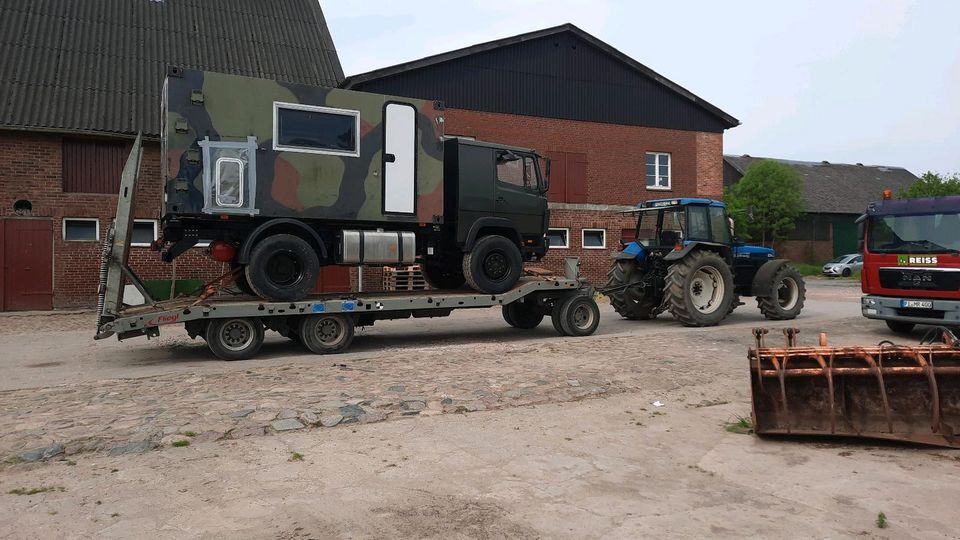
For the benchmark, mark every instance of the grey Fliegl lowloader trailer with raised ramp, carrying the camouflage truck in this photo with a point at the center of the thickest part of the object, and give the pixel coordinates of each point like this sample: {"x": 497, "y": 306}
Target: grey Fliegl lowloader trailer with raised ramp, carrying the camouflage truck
{"x": 233, "y": 326}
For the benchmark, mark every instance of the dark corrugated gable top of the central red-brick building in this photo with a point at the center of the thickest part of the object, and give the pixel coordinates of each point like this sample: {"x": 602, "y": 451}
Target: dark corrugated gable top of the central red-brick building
{"x": 521, "y": 74}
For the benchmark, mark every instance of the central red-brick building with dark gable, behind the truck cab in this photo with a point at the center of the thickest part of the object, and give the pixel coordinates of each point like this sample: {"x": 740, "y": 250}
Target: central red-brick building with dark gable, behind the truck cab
{"x": 616, "y": 131}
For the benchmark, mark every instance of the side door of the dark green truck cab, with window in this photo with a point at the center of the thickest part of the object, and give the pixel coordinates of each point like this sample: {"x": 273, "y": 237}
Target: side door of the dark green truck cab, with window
{"x": 518, "y": 196}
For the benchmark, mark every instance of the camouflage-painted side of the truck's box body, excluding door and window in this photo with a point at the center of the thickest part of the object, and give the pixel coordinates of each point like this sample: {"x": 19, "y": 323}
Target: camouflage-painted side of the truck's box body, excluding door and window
{"x": 230, "y": 108}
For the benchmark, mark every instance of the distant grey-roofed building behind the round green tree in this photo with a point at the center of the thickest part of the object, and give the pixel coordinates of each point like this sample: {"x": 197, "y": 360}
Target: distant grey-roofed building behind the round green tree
{"x": 834, "y": 196}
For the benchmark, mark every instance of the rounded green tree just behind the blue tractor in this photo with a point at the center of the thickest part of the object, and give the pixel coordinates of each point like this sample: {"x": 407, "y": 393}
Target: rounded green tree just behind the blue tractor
{"x": 766, "y": 202}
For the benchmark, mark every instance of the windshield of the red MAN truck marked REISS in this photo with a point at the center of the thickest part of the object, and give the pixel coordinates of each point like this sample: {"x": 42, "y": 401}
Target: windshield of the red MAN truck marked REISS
{"x": 930, "y": 233}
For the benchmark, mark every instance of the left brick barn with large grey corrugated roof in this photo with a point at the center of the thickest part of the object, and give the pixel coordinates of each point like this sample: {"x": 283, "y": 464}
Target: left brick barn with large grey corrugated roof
{"x": 78, "y": 80}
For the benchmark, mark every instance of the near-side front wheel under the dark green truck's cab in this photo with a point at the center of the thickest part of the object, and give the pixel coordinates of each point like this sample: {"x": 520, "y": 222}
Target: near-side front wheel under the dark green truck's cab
{"x": 494, "y": 265}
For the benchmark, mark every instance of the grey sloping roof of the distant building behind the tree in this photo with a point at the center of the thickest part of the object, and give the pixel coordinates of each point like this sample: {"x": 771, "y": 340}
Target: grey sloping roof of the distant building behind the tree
{"x": 836, "y": 188}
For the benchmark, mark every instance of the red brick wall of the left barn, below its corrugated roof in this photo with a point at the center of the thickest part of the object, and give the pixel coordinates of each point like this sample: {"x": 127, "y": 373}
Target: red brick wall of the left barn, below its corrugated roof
{"x": 31, "y": 169}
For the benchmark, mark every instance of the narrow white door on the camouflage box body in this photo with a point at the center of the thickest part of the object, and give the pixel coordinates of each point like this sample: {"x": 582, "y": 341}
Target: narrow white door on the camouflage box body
{"x": 399, "y": 159}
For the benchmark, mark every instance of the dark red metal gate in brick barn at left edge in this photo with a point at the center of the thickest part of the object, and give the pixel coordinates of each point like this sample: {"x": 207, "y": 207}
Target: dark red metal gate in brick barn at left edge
{"x": 26, "y": 264}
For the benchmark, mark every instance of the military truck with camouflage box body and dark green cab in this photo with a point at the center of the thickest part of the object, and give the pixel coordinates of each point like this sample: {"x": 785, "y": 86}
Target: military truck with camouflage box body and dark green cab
{"x": 283, "y": 178}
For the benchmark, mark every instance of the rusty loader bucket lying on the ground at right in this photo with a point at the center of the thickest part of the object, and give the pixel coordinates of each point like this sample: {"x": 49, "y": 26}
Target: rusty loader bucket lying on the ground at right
{"x": 895, "y": 392}
